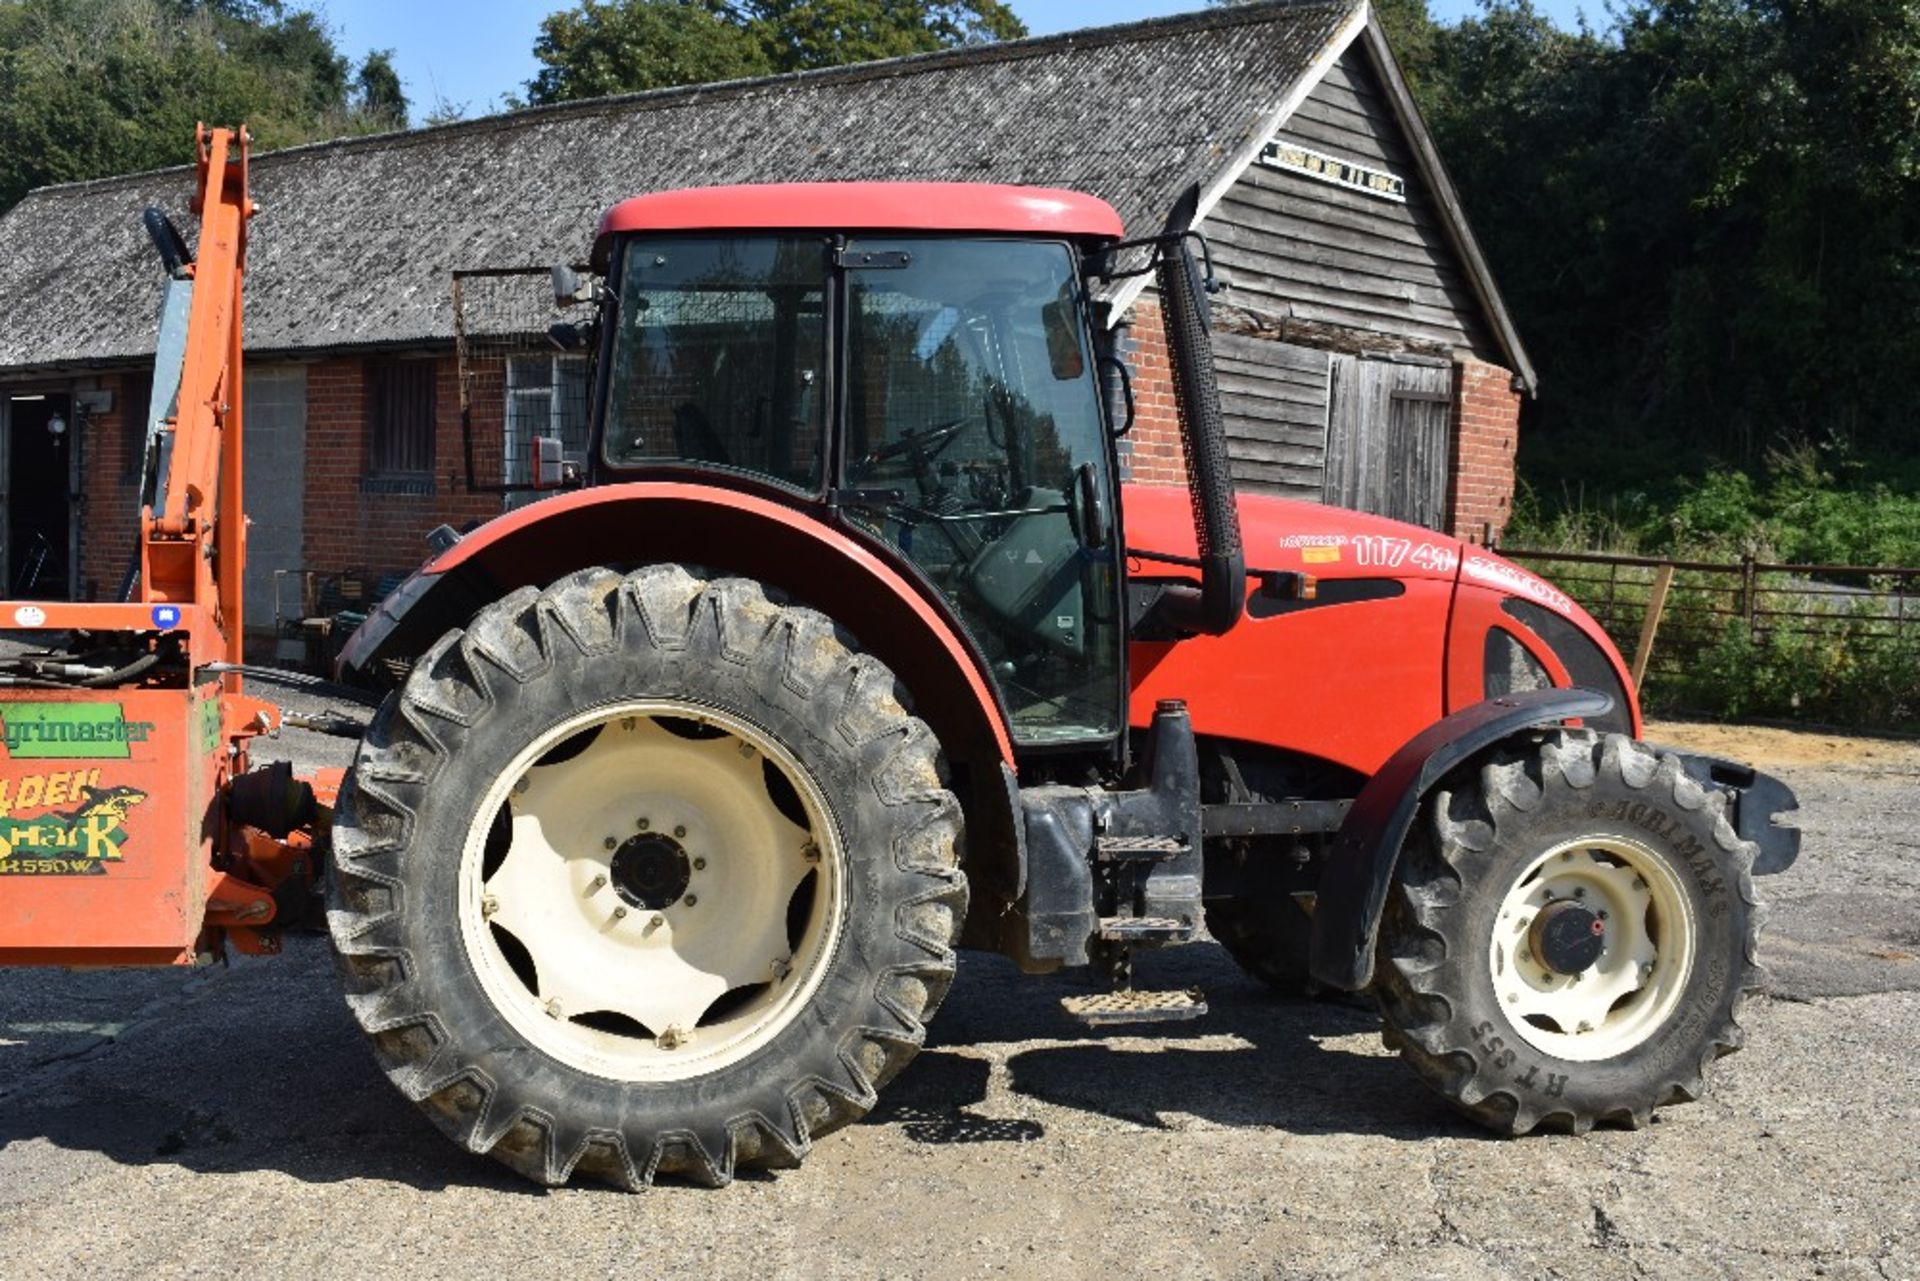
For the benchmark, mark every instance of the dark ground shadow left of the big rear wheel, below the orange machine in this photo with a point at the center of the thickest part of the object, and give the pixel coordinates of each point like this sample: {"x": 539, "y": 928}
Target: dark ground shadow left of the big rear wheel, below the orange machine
{"x": 254, "y": 1069}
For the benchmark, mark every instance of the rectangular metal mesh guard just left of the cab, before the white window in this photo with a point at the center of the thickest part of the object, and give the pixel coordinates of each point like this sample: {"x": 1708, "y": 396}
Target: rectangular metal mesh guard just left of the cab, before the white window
{"x": 516, "y": 383}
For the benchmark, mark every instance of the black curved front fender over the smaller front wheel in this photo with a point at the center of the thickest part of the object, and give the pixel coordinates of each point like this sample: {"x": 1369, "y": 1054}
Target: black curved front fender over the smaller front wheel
{"x": 1353, "y": 892}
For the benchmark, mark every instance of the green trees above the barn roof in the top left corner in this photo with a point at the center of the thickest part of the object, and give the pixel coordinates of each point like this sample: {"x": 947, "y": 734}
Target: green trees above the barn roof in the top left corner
{"x": 101, "y": 87}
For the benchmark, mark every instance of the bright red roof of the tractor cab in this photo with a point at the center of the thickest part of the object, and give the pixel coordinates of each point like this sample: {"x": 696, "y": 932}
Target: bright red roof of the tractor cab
{"x": 865, "y": 206}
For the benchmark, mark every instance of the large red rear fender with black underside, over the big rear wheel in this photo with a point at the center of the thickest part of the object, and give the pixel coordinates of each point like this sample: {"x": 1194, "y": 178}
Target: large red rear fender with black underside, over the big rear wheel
{"x": 723, "y": 531}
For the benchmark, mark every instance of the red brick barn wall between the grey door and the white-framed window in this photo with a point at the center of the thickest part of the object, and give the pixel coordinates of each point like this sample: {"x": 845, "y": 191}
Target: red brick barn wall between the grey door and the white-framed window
{"x": 348, "y": 523}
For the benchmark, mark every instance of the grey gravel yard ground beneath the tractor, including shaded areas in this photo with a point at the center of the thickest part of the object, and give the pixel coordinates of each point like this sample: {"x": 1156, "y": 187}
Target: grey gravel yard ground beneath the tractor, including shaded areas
{"x": 158, "y": 1124}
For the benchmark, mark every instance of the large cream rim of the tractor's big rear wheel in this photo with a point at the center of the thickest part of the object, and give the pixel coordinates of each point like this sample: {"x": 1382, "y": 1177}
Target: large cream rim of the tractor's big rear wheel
{"x": 652, "y": 890}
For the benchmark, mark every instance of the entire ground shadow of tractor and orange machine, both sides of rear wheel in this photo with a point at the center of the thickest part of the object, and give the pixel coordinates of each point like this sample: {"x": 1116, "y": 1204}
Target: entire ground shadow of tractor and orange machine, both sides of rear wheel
{"x": 260, "y": 1069}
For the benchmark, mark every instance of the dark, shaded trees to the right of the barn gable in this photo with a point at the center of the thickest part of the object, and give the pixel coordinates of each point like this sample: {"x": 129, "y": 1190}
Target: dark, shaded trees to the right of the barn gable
{"x": 1706, "y": 220}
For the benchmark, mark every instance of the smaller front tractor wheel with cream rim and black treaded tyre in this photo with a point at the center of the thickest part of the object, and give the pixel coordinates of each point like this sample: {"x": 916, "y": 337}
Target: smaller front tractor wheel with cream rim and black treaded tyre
{"x": 1572, "y": 936}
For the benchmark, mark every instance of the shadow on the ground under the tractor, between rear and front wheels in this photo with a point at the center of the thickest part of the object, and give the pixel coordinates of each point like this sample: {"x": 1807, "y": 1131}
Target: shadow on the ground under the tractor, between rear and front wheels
{"x": 1255, "y": 1061}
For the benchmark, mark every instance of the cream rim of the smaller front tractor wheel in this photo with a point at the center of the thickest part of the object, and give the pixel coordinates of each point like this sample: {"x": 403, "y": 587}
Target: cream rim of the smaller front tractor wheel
{"x": 1648, "y": 942}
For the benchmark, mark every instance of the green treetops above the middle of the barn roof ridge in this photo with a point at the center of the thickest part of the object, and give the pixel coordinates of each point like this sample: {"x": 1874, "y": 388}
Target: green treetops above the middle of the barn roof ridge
{"x": 613, "y": 47}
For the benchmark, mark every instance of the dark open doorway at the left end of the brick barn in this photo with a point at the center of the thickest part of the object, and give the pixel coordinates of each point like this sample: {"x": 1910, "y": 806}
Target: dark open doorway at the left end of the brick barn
{"x": 36, "y": 487}
